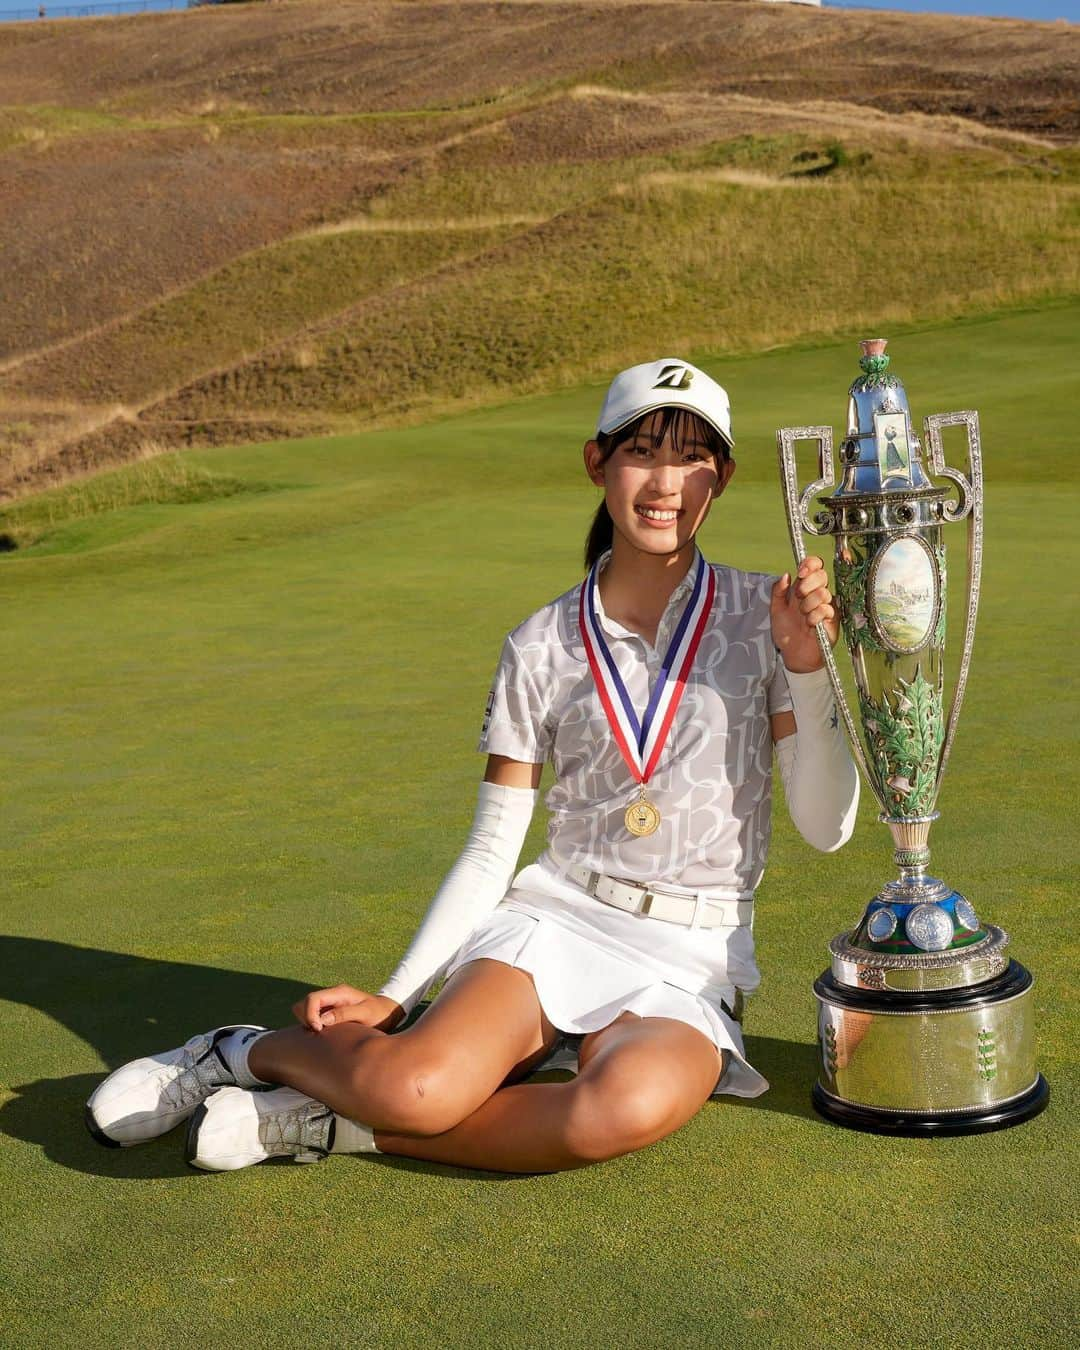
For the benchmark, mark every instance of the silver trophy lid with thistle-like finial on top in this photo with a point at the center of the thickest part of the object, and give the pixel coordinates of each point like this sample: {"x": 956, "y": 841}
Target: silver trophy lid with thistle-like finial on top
{"x": 881, "y": 453}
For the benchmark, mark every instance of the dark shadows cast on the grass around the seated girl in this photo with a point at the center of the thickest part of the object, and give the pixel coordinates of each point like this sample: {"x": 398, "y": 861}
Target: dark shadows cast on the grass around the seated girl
{"x": 128, "y": 1006}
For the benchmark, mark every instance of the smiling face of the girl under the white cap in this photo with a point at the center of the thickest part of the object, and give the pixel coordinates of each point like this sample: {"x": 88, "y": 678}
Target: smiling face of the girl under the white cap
{"x": 659, "y": 481}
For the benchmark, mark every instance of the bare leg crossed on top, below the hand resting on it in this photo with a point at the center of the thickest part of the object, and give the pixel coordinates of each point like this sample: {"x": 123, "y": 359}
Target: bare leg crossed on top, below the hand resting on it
{"x": 487, "y": 1025}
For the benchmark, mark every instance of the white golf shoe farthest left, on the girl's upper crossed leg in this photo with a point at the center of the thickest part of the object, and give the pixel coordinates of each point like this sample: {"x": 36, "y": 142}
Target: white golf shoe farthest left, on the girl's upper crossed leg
{"x": 149, "y": 1097}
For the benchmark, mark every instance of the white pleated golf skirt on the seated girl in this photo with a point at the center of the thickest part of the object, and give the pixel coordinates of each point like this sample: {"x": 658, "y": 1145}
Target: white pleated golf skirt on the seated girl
{"x": 591, "y": 962}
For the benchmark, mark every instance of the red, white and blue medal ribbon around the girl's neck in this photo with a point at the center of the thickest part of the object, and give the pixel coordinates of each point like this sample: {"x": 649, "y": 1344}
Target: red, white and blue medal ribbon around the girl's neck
{"x": 641, "y": 743}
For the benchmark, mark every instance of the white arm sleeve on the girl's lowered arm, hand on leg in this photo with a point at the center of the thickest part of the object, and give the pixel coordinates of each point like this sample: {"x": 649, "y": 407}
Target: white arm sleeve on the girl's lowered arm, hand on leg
{"x": 470, "y": 892}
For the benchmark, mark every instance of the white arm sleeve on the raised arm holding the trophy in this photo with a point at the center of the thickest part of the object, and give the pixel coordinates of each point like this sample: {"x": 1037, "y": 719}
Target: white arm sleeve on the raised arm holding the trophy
{"x": 821, "y": 782}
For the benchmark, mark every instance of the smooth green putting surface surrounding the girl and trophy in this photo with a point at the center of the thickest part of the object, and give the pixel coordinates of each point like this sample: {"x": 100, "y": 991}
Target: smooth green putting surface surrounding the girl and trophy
{"x": 238, "y": 750}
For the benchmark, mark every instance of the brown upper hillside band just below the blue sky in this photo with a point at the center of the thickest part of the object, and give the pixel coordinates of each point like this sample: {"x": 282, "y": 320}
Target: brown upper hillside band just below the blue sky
{"x": 346, "y": 56}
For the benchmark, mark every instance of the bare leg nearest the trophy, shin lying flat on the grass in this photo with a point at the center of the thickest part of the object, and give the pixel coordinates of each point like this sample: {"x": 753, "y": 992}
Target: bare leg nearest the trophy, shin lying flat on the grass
{"x": 641, "y": 1079}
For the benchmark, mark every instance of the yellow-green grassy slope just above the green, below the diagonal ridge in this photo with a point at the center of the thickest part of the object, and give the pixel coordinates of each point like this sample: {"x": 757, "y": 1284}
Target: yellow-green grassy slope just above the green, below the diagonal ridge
{"x": 682, "y": 261}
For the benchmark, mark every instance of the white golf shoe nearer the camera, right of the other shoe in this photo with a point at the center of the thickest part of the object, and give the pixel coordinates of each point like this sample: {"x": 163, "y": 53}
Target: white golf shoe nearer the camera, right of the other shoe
{"x": 237, "y": 1129}
